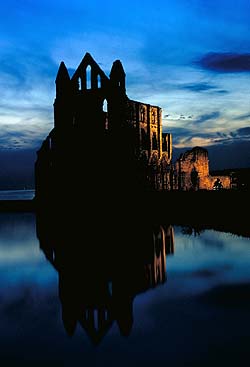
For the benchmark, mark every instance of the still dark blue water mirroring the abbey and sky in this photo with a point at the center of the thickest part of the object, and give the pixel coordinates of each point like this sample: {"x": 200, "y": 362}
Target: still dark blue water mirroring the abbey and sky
{"x": 186, "y": 303}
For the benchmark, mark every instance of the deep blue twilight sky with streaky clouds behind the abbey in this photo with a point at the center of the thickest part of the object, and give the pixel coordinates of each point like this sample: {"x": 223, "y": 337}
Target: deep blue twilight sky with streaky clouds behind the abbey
{"x": 191, "y": 57}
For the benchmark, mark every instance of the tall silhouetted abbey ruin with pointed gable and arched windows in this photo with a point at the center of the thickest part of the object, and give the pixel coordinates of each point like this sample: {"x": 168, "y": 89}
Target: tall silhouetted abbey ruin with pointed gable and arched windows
{"x": 101, "y": 139}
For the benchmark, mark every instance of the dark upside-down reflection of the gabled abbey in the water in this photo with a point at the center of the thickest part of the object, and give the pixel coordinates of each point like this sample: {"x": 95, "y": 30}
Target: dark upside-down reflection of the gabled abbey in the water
{"x": 98, "y": 281}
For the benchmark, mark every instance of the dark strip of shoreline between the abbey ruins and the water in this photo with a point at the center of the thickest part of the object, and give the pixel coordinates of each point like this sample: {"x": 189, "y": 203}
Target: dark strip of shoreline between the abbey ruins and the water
{"x": 225, "y": 210}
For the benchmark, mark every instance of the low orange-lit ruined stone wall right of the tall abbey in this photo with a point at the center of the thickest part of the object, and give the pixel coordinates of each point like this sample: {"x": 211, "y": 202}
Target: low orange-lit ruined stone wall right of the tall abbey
{"x": 192, "y": 172}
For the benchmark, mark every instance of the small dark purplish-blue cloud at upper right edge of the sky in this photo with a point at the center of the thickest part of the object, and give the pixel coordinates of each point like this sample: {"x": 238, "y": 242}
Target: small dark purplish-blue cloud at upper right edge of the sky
{"x": 225, "y": 62}
